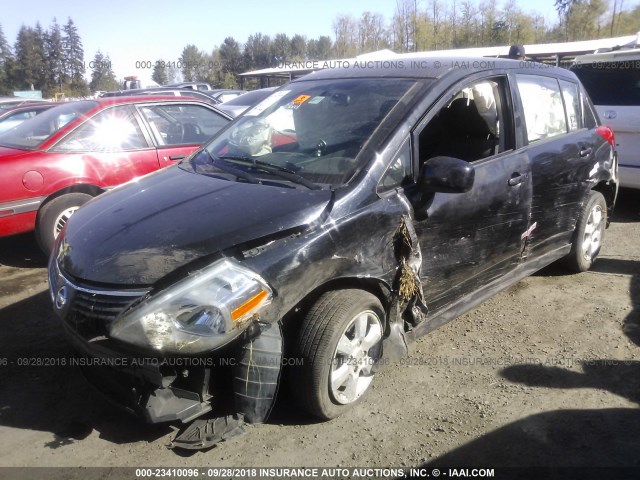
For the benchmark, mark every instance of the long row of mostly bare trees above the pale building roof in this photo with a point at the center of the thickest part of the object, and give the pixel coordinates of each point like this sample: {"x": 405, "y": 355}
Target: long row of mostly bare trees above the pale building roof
{"x": 415, "y": 26}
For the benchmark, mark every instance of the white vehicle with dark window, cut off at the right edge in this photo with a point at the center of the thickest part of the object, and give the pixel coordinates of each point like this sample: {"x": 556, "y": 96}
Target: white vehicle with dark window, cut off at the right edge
{"x": 612, "y": 80}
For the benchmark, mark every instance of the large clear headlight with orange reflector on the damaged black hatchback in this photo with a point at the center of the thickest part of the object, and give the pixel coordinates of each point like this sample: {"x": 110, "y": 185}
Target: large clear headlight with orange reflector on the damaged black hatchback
{"x": 197, "y": 314}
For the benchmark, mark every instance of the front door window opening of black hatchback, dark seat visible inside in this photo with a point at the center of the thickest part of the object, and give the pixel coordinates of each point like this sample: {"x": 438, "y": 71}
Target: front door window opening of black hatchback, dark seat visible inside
{"x": 471, "y": 126}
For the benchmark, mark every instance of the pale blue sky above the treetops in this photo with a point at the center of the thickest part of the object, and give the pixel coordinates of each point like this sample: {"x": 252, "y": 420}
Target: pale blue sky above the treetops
{"x": 138, "y": 30}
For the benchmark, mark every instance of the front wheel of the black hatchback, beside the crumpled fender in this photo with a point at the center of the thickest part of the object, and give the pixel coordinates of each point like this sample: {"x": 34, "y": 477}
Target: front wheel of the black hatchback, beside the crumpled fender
{"x": 340, "y": 339}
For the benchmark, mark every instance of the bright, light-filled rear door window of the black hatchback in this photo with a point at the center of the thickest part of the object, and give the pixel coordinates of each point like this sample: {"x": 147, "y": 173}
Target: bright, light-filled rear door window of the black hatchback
{"x": 542, "y": 104}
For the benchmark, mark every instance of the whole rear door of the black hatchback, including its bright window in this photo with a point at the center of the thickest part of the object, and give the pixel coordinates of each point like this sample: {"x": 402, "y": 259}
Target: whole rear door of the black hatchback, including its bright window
{"x": 564, "y": 154}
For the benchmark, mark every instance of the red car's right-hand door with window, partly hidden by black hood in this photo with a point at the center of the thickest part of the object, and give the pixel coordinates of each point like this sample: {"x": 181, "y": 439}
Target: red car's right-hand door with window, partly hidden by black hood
{"x": 180, "y": 128}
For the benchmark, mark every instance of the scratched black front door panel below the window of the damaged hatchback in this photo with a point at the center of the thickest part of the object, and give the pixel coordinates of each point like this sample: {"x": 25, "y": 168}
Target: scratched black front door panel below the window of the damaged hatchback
{"x": 469, "y": 239}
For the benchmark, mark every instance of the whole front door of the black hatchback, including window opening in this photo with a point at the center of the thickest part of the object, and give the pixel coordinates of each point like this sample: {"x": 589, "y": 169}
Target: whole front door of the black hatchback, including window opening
{"x": 471, "y": 239}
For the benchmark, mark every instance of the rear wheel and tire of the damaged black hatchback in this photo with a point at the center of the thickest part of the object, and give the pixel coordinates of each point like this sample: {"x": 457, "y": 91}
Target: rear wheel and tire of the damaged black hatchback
{"x": 588, "y": 235}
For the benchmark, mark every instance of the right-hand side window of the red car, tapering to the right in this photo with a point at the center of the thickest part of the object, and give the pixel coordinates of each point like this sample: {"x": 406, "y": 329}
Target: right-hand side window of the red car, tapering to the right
{"x": 182, "y": 124}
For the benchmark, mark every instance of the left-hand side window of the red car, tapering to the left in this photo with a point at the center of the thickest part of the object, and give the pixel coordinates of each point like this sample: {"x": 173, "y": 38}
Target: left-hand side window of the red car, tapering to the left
{"x": 112, "y": 130}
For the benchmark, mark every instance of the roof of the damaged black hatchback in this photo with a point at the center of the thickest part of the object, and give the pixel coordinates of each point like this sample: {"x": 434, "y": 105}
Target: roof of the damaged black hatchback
{"x": 432, "y": 67}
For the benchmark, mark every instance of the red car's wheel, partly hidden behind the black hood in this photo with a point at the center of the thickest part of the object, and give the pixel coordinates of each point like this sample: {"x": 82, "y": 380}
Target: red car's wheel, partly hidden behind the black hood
{"x": 54, "y": 215}
